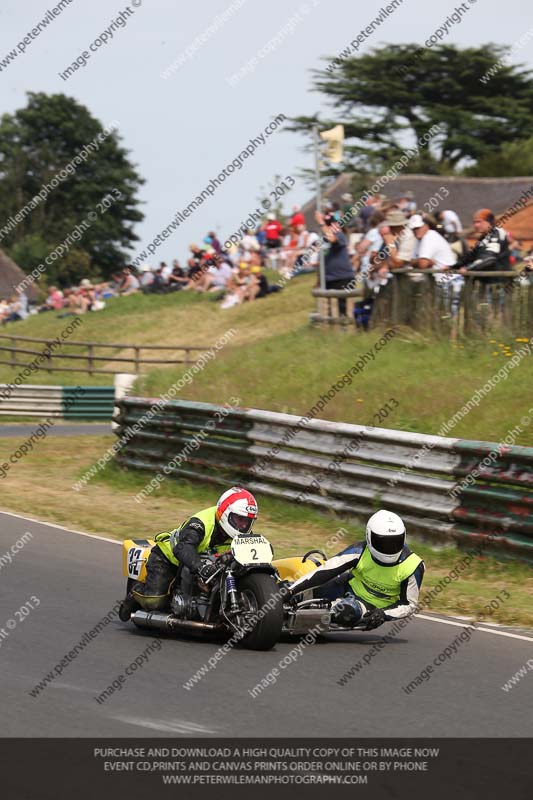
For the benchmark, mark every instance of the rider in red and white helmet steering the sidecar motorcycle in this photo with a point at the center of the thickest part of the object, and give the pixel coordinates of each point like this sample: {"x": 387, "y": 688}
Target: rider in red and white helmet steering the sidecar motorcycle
{"x": 190, "y": 545}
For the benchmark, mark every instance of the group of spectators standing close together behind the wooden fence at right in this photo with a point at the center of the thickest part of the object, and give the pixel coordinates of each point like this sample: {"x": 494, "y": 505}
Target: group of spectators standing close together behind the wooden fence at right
{"x": 391, "y": 234}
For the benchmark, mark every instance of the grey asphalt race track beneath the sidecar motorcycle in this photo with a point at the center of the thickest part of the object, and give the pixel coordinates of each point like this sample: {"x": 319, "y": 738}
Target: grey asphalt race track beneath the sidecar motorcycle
{"x": 78, "y": 579}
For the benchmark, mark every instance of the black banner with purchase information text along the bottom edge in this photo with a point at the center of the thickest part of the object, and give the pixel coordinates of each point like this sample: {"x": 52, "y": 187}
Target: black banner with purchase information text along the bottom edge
{"x": 371, "y": 768}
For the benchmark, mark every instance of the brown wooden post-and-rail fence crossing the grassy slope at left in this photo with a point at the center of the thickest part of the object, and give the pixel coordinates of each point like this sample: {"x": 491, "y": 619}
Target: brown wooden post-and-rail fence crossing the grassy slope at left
{"x": 90, "y": 356}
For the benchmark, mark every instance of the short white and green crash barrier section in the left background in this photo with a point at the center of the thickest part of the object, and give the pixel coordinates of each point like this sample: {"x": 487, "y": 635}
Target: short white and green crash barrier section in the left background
{"x": 68, "y": 402}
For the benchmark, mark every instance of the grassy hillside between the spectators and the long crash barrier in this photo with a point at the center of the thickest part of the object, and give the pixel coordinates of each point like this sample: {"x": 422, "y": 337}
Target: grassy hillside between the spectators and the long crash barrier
{"x": 275, "y": 360}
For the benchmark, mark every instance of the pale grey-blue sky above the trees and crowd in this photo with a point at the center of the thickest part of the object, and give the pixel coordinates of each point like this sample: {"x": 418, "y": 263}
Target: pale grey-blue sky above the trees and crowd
{"x": 182, "y": 130}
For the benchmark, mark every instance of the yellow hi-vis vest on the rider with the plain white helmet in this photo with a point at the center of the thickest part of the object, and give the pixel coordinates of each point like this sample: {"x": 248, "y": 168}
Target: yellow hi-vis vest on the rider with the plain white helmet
{"x": 380, "y": 585}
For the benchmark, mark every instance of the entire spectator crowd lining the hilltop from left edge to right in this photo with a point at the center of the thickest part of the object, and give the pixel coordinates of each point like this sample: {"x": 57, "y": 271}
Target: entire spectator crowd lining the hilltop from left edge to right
{"x": 386, "y": 235}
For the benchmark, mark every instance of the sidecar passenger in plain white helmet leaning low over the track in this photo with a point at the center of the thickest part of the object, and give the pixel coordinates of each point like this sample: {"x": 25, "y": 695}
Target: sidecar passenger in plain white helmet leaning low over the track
{"x": 370, "y": 582}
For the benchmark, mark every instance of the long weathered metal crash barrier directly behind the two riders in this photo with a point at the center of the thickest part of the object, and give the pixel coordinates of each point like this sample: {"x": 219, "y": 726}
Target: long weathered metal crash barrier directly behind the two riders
{"x": 416, "y": 475}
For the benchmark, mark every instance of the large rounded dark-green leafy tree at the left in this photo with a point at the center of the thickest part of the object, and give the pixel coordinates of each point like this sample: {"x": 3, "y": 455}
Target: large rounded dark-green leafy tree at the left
{"x": 38, "y": 141}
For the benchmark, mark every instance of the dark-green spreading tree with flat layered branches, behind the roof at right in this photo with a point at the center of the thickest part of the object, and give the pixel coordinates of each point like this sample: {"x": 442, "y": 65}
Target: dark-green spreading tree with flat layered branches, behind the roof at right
{"x": 389, "y": 98}
